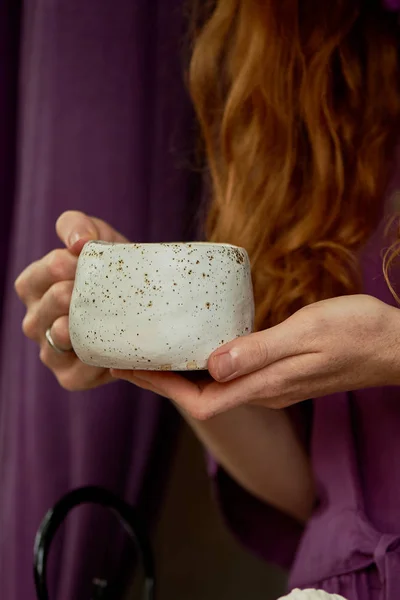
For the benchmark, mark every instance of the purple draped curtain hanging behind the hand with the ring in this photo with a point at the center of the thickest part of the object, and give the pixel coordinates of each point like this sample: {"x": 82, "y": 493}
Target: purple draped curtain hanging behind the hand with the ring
{"x": 103, "y": 125}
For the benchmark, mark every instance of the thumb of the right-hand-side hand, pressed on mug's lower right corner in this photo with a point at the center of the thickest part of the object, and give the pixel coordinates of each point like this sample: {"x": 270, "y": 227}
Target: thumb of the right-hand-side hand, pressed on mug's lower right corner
{"x": 255, "y": 351}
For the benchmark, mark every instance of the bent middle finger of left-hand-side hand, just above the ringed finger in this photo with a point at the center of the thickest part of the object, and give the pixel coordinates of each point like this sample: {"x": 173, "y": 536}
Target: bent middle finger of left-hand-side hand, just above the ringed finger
{"x": 43, "y": 314}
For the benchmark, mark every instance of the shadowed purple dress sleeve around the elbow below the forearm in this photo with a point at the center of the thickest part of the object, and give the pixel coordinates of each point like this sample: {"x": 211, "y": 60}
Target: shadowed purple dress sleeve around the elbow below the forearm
{"x": 264, "y": 530}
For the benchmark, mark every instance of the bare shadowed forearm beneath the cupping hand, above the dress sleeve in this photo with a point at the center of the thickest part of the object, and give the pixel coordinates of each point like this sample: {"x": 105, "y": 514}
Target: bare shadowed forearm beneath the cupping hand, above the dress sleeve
{"x": 260, "y": 450}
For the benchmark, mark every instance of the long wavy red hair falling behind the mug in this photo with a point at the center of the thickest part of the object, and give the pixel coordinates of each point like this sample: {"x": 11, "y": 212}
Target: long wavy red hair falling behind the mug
{"x": 298, "y": 103}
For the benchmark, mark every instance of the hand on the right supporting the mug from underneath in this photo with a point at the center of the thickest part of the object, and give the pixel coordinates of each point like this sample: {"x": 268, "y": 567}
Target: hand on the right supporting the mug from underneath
{"x": 336, "y": 345}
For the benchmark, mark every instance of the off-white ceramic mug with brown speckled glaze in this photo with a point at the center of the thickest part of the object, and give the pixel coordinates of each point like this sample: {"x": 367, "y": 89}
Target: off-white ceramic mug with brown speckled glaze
{"x": 159, "y": 306}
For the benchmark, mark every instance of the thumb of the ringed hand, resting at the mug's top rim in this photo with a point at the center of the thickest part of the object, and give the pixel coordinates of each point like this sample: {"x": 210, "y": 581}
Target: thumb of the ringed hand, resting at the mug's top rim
{"x": 74, "y": 229}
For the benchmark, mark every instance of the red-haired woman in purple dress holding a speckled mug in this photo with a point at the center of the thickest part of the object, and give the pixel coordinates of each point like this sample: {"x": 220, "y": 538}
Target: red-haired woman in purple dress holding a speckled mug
{"x": 299, "y": 106}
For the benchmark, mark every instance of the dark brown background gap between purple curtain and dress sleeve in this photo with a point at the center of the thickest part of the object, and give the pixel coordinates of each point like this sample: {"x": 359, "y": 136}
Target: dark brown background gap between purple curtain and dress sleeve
{"x": 197, "y": 558}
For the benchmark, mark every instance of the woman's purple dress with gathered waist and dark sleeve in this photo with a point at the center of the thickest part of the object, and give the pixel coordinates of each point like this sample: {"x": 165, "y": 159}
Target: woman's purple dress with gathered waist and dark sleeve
{"x": 351, "y": 545}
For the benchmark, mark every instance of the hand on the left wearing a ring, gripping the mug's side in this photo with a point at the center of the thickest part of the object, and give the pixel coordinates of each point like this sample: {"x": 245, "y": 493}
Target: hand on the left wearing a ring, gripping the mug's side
{"x": 45, "y": 287}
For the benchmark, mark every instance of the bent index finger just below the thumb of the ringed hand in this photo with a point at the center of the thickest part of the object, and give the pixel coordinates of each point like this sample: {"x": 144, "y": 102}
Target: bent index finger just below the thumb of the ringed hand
{"x": 36, "y": 279}
